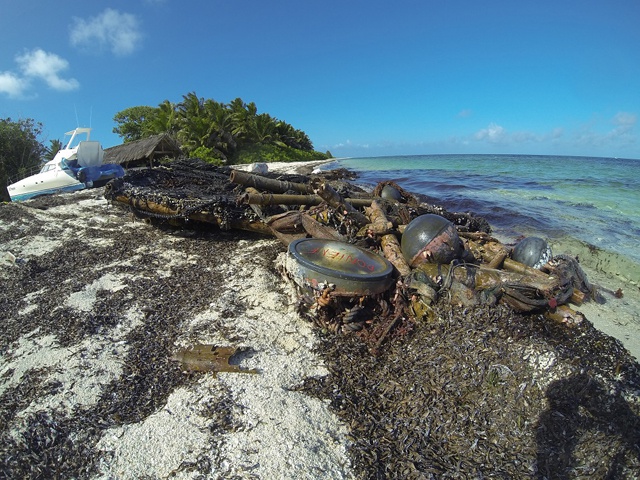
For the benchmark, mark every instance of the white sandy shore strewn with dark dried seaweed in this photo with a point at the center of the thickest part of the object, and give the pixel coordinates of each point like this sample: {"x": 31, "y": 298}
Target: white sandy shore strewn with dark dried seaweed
{"x": 95, "y": 303}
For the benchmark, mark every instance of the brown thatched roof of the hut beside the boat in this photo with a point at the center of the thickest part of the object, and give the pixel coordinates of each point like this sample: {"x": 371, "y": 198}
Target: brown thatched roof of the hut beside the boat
{"x": 145, "y": 152}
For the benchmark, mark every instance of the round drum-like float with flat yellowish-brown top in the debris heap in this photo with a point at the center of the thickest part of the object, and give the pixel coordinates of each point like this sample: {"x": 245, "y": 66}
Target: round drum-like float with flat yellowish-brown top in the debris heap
{"x": 353, "y": 270}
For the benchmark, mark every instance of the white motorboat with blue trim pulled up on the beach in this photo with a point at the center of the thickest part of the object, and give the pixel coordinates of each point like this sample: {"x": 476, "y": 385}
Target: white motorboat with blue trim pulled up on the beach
{"x": 75, "y": 167}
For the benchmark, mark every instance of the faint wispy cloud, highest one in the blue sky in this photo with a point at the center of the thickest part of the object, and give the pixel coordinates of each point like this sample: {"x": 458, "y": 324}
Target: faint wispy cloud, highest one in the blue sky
{"x": 118, "y": 32}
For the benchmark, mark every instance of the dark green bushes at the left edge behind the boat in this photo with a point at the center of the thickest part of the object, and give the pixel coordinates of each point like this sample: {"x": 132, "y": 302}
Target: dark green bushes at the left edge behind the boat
{"x": 20, "y": 151}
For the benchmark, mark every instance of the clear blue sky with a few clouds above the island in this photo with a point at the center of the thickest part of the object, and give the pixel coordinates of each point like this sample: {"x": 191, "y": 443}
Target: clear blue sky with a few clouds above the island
{"x": 361, "y": 78}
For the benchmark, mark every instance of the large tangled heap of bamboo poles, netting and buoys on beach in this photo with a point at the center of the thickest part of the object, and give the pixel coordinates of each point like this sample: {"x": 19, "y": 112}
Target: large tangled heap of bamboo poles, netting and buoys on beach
{"x": 370, "y": 264}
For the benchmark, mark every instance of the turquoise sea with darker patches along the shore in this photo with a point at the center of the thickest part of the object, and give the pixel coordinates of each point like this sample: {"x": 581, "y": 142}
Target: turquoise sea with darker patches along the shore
{"x": 581, "y": 205}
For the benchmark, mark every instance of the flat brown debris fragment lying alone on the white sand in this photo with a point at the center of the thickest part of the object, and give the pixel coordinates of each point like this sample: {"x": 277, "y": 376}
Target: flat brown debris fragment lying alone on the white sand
{"x": 209, "y": 358}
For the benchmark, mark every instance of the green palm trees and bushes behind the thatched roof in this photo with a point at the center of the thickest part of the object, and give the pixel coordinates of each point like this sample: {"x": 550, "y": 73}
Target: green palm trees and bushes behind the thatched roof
{"x": 218, "y": 133}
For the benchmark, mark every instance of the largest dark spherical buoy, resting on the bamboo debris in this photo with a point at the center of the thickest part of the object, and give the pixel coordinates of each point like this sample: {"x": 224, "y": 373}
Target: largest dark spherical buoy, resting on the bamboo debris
{"x": 431, "y": 239}
